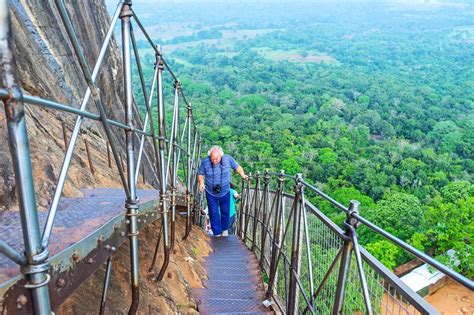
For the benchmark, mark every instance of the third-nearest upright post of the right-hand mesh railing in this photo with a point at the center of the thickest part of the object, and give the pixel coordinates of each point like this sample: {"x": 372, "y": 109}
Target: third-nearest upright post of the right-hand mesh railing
{"x": 276, "y": 235}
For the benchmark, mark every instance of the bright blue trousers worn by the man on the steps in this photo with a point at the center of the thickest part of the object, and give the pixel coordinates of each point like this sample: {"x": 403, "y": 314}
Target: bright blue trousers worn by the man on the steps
{"x": 219, "y": 219}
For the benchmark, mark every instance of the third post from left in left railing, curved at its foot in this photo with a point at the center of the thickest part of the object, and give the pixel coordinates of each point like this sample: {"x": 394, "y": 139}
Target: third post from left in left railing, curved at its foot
{"x": 163, "y": 186}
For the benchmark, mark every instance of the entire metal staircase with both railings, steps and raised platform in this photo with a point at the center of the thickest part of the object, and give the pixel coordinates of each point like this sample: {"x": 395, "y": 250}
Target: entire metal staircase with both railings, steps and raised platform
{"x": 309, "y": 264}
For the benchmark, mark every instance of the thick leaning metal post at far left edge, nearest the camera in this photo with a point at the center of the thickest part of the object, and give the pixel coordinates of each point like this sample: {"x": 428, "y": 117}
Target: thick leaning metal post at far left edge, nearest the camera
{"x": 37, "y": 266}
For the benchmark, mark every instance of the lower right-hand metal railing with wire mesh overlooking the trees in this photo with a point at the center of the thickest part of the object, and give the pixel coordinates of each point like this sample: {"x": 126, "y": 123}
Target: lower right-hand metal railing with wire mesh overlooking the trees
{"x": 312, "y": 265}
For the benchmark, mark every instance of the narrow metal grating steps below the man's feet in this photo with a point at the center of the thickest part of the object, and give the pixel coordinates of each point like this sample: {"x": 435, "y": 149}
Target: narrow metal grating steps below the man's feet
{"x": 234, "y": 284}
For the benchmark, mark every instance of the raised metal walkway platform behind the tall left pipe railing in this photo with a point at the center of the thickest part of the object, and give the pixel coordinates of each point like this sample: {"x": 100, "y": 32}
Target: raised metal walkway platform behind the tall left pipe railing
{"x": 86, "y": 232}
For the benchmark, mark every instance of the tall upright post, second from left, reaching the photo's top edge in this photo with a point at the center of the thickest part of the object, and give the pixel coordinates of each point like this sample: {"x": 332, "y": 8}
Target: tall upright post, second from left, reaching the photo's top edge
{"x": 132, "y": 201}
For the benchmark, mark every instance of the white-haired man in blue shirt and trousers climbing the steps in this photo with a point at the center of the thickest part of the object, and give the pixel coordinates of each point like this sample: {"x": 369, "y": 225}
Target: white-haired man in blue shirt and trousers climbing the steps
{"x": 214, "y": 178}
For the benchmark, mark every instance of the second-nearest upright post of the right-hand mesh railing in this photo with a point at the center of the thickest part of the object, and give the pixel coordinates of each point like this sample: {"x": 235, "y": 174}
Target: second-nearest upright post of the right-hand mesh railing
{"x": 292, "y": 306}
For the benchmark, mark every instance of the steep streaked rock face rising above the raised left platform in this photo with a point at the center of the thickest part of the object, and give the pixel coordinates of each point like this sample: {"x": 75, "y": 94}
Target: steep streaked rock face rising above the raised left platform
{"x": 48, "y": 68}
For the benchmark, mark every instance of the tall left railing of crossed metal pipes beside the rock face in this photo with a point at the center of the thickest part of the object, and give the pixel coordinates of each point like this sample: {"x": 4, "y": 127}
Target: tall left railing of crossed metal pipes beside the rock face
{"x": 166, "y": 154}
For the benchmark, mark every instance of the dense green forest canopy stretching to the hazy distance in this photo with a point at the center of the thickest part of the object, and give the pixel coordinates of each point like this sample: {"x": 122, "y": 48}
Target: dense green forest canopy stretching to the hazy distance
{"x": 370, "y": 100}
